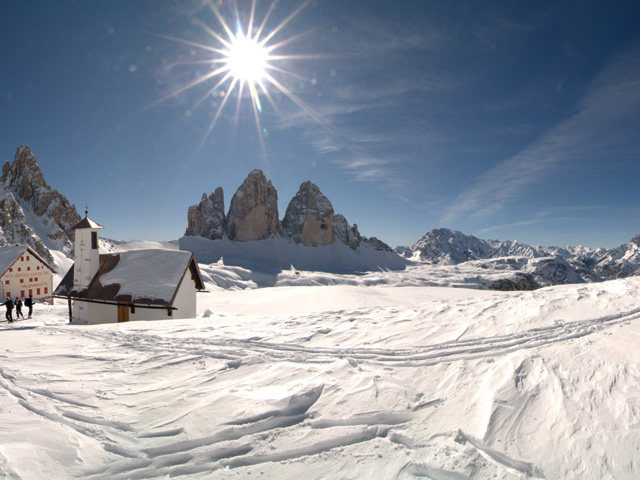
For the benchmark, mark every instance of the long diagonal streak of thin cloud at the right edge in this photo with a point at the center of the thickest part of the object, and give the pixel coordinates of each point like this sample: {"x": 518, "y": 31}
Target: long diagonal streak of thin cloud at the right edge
{"x": 613, "y": 96}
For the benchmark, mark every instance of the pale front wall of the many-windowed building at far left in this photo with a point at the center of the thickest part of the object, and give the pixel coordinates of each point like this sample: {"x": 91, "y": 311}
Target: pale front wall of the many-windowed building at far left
{"x": 27, "y": 274}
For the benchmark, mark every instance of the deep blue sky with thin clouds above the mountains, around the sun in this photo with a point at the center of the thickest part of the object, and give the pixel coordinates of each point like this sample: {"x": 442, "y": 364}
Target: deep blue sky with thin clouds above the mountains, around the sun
{"x": 506, "y": 120}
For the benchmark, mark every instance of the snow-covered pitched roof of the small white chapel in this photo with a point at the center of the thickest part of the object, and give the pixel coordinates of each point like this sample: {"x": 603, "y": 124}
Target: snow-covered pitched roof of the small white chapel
{"x": 149, "y": 276}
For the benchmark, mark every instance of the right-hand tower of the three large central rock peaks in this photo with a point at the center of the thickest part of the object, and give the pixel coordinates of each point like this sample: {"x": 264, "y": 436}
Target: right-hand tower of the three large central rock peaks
{"x": 309, "y": 217}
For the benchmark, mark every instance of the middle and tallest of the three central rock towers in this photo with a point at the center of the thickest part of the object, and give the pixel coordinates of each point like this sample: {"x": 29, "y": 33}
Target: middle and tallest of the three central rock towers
{"x": 253, "y": 213}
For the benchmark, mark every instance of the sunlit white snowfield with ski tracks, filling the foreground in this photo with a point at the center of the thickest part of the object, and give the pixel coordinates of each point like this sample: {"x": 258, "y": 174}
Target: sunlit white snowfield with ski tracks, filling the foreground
{"x": 361, "y": 381}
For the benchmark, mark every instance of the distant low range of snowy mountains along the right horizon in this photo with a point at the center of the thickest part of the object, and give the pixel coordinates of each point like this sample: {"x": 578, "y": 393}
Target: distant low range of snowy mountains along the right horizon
{"x": 549, "y": 265}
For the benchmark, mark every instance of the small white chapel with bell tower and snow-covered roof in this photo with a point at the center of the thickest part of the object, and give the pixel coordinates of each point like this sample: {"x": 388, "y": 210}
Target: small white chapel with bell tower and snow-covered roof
{"x": 151, "y": 284}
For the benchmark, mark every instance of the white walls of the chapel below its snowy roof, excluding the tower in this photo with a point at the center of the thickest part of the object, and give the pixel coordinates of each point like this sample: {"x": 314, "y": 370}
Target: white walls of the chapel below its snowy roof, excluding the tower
{"x": 95, "y": 313}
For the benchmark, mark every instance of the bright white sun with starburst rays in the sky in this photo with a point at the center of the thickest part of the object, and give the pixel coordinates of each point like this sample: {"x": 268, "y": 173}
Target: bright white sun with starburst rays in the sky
{"x": 243, "y": 63}
